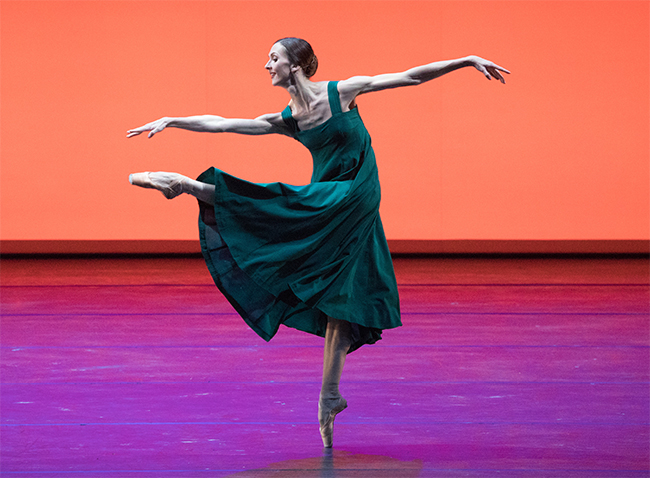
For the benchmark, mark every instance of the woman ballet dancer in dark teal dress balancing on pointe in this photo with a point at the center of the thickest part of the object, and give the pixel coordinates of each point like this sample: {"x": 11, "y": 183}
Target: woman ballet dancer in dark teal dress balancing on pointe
{"x": 312, "y": 257}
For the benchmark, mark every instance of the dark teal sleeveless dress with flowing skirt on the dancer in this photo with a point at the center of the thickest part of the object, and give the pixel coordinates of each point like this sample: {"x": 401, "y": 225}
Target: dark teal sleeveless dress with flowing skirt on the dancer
{"x": 295, "y": 255}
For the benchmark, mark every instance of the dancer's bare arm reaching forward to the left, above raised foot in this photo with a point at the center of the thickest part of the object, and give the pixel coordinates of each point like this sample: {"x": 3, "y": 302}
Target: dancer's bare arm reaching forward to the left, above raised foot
{"x": 265, "y": 124}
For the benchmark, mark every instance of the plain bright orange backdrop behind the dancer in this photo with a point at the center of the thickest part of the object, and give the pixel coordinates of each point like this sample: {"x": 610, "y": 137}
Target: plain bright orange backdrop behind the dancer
{"x": 560, "y": 152}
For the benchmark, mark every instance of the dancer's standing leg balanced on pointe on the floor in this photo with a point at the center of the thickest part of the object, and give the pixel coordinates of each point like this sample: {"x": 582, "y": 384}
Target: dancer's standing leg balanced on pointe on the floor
{"x": 337, "y": 343}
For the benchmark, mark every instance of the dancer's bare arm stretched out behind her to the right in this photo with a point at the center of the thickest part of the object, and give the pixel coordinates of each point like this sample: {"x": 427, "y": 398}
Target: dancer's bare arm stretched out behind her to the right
{"x": 358, "y": 85}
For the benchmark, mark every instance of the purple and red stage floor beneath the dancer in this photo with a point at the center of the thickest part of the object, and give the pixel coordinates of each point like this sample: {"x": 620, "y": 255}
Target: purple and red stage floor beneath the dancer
{"x": 505, "y": 367}
